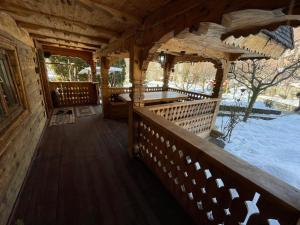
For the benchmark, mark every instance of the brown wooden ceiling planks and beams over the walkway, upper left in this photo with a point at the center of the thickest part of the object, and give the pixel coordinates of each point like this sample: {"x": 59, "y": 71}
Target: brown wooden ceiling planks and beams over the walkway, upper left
{"x": 90, "y": 22}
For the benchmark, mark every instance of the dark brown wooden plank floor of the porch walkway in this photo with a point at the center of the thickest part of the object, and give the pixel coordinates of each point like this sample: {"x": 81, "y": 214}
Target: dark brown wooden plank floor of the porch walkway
{"x": 82, "y": 175}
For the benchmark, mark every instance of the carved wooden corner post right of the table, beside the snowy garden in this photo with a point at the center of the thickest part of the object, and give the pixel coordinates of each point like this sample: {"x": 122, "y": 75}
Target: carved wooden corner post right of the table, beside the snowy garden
{"x": 221, "y": 75}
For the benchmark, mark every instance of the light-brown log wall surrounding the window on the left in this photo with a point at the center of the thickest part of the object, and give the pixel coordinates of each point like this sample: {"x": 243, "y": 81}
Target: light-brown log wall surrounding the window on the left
{"x": 19, "y": 141}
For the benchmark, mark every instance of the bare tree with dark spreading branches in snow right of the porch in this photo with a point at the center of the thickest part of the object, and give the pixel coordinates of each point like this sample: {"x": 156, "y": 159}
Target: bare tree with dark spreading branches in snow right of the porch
{"x": 259, "y": 75}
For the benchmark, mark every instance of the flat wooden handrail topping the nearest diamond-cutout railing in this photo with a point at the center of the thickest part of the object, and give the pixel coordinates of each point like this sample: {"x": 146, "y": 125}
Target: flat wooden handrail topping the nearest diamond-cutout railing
{"x": 276, "y": 190}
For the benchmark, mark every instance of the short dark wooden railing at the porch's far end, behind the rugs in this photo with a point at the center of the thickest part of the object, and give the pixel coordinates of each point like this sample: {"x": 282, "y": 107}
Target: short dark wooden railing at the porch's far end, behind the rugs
{"x": 73, "y": 93}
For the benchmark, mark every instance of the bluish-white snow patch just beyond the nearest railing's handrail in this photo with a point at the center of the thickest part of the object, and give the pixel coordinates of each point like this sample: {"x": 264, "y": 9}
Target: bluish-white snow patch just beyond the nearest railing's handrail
{"x": 273, "y": 145}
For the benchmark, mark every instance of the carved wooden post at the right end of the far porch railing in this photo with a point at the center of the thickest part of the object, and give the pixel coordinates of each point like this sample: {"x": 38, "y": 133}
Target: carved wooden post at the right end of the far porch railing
{"x": 104, "y": 85}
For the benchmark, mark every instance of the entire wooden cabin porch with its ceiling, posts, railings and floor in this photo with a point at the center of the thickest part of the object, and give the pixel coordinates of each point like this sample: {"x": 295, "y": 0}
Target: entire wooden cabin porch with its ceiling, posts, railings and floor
{"x": 155, "y": 165}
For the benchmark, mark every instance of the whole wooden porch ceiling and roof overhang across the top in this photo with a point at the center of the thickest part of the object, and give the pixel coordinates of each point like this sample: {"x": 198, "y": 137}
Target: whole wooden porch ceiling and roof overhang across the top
{"x": 224, "y": 29}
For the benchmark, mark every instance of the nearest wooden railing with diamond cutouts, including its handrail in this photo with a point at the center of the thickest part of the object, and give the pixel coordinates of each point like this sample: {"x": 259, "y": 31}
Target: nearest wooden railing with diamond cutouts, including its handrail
{"x": 213, "y": 186}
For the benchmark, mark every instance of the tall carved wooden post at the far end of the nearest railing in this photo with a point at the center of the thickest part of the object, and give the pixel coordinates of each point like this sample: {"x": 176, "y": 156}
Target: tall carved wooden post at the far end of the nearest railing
{"x": 137, "y": 77}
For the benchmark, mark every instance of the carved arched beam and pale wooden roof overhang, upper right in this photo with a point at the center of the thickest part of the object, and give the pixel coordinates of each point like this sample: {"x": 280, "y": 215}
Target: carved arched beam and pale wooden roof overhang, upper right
{"x": 238, "y": 35}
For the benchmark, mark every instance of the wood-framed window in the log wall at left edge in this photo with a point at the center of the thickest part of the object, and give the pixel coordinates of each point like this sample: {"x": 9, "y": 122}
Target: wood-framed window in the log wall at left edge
{"x": 10, "y": 105}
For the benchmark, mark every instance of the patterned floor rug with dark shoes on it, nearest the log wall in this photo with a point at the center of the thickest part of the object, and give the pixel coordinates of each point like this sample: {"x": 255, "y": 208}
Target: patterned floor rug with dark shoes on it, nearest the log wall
{"x": 61, "y": 116}
